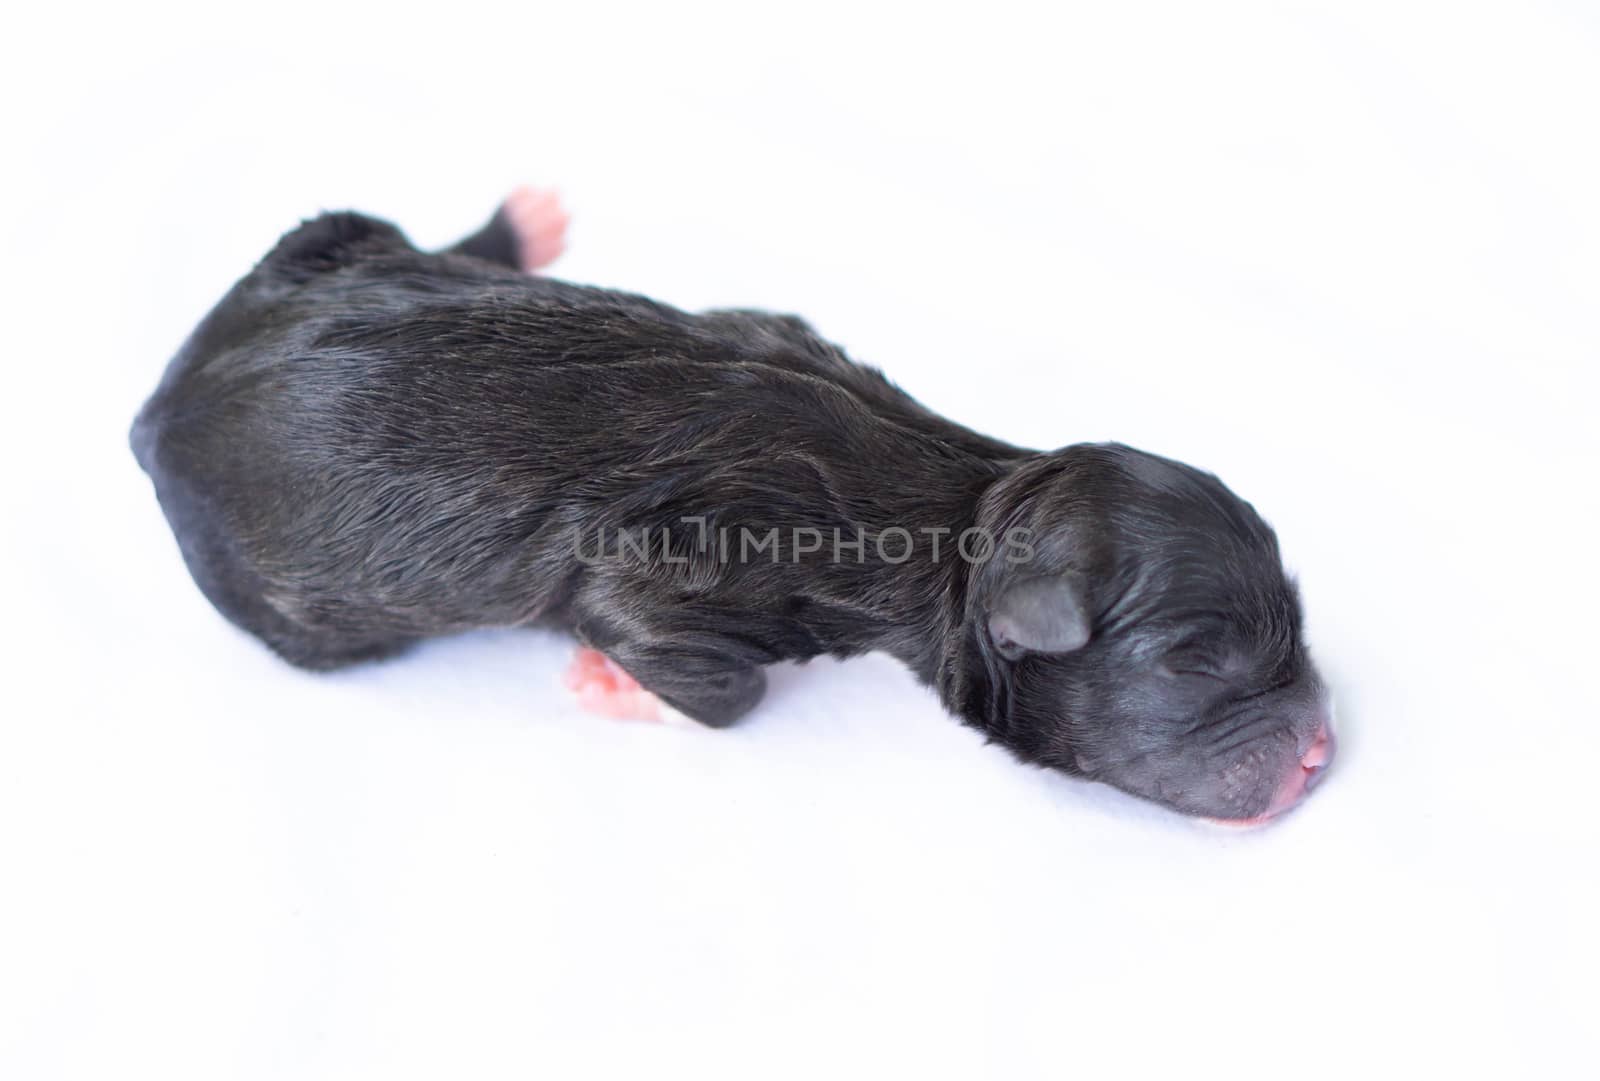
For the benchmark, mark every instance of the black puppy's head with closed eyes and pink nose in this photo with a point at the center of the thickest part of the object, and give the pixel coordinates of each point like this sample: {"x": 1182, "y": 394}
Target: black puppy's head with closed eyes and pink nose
{"x": 1143, "y": 634}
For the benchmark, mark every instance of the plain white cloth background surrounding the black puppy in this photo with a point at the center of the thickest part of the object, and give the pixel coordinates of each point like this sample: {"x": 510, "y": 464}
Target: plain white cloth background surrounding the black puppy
{"x": 1342, "y": 253}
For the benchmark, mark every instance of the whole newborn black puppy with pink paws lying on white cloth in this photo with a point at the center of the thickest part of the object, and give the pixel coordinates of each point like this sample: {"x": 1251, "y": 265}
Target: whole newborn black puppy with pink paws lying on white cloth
{"x": 366, "y": 445}
